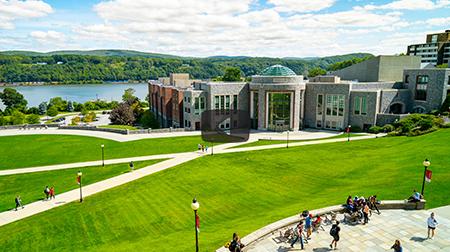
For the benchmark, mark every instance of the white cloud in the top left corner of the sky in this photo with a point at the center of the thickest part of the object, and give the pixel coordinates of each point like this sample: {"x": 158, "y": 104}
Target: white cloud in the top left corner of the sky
{"x": 11, "y": 10}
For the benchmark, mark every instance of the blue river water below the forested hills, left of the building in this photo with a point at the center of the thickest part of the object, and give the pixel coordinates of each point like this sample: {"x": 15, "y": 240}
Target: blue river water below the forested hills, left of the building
{"x": 79, "y": 93}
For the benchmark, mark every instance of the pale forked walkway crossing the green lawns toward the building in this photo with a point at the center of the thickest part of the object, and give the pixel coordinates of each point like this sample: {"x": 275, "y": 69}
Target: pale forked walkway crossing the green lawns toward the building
{"x": 70, "y": 196}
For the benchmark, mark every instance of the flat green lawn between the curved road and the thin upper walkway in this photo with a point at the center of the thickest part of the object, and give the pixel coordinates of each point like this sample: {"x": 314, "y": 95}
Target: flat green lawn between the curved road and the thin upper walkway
{"x": 37, "y": 150}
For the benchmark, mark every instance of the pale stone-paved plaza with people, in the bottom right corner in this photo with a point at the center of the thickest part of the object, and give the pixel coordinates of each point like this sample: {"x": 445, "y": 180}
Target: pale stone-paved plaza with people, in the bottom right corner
{"x": 378, "y": 235}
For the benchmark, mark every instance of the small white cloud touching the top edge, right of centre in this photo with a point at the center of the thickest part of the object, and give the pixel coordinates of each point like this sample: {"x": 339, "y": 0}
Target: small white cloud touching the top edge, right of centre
{"x": 301, "y": 5}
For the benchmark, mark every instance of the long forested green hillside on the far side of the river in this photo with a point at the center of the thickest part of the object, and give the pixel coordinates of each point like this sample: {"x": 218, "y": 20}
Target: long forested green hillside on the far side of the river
{"x": 69, "y": 67}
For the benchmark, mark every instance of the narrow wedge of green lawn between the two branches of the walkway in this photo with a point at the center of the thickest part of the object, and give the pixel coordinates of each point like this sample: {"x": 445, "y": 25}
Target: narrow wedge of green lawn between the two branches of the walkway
{"x": 30, "y": 186}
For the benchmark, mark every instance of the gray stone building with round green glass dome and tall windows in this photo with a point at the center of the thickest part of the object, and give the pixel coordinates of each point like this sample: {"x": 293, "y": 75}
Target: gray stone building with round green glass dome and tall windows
{"x": 277, "y": 99}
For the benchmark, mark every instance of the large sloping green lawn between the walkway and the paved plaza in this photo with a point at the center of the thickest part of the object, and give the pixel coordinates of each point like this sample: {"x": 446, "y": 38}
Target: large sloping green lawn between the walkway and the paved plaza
{"x": 237, "y": 192}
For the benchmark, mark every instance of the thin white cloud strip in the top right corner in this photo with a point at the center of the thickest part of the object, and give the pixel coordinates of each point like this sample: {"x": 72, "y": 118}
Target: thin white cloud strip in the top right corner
{"x": 410, "y": 5}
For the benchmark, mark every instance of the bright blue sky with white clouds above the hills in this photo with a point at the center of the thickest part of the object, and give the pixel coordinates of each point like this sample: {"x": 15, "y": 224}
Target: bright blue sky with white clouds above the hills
{"x": 201, "y": 28}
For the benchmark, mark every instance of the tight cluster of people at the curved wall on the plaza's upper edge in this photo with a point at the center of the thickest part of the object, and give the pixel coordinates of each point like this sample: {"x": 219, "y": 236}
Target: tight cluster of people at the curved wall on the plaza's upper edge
{"x": 360, "y": 208}
